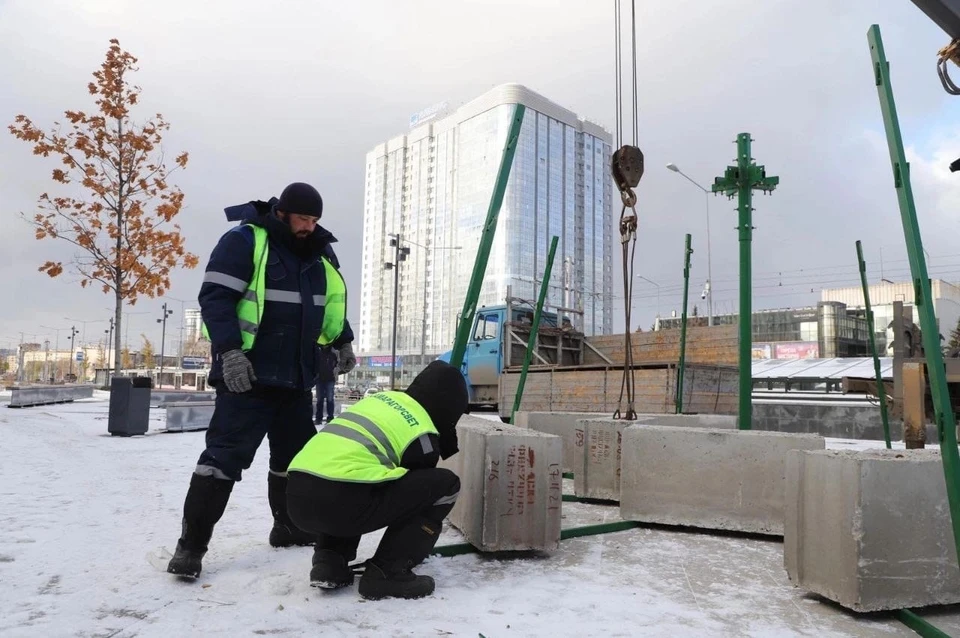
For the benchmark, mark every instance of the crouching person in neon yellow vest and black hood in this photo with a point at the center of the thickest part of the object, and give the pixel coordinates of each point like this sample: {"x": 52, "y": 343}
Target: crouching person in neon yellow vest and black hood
{"x": 374, "y": 466}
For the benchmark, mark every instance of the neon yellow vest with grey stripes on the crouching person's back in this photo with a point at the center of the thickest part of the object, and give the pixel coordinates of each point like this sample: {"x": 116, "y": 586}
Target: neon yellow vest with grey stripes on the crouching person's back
{"x": 365, "y": 443}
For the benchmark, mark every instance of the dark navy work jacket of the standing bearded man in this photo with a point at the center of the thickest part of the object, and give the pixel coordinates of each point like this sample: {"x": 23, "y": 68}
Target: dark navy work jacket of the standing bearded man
{"x": 285, "y": 352}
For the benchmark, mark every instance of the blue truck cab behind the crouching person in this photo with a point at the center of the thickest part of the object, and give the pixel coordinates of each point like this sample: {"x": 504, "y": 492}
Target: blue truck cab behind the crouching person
{"x": 495, "y": 344}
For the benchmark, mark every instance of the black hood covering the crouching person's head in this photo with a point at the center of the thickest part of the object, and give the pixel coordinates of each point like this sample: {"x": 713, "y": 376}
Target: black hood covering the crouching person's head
{"x": 442, "y": 391}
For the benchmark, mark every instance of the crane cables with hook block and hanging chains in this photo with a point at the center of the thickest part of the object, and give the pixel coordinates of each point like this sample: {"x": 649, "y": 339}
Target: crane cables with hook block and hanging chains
{"x": 626, "y": 168}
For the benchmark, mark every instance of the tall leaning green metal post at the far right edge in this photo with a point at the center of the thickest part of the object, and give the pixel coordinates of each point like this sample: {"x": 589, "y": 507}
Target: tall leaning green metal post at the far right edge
{"x": 943, "y": 411}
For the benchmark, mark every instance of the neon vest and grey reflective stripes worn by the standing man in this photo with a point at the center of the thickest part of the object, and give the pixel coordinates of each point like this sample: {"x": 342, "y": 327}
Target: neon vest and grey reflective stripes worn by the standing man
{"x": 255, "y": 294}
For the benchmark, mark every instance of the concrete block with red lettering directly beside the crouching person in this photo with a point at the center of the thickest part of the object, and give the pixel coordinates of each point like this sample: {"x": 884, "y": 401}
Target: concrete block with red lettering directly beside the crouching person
{"x": 511, "y": 486}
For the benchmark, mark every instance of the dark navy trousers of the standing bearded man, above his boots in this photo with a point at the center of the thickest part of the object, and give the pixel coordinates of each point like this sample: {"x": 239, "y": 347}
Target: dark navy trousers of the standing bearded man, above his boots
{"x": 240, "y": 421}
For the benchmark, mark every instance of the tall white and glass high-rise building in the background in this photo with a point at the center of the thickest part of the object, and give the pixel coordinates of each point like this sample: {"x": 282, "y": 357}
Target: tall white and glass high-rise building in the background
{"x": 433, "y": 187}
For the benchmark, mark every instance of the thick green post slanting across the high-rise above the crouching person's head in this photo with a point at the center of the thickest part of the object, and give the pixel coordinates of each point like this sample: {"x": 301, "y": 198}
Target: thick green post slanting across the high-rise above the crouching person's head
{"x": 486, "y": 238}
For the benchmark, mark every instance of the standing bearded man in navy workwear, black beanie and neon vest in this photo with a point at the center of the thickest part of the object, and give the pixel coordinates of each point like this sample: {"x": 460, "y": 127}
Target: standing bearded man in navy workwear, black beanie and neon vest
{"x": 271, "y": 296}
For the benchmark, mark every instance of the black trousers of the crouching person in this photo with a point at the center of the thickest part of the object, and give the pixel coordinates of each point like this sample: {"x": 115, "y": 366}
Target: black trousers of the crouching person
{"x": 412, "y": 508}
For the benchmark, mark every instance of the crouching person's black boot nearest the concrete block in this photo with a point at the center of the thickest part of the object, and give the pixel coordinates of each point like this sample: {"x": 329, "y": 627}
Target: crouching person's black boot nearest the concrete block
{"x": 389, "y": 573}
